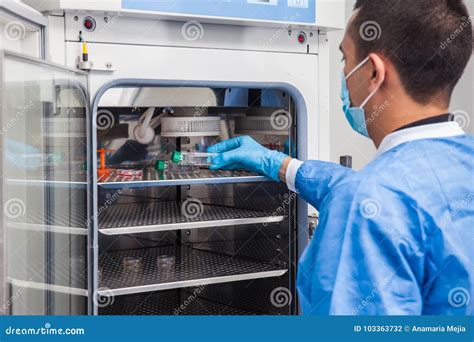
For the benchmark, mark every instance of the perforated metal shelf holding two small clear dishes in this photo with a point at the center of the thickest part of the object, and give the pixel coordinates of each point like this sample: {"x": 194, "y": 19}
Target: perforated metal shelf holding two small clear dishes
{"x": 193, "y": 268}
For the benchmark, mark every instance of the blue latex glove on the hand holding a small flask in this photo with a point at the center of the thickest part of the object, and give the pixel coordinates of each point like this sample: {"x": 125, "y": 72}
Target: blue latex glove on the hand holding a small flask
{"x": 244, "y": 152}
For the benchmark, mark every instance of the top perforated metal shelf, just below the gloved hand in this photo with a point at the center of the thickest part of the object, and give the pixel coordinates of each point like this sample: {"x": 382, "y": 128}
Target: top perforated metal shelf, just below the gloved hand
{"x": 171, "y": 178}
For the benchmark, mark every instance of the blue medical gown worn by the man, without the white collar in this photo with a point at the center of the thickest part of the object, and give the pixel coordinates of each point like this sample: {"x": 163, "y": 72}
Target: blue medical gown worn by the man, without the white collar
{"x": 395, "y": 238}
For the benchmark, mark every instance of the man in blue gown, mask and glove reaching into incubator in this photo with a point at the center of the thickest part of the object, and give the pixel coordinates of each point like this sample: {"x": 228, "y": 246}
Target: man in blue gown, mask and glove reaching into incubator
{"x": 395, "y": 238}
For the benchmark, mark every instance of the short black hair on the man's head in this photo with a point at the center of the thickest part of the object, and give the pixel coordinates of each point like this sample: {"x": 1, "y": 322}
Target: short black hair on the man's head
{"x": 428, "y": 41}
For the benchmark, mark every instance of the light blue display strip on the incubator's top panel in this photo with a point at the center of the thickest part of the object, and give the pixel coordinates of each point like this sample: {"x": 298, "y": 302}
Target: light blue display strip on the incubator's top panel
{"x": 297, "y": 11}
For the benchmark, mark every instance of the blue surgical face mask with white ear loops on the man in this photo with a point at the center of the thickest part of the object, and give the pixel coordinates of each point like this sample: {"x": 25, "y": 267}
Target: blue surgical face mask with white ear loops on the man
{"x": 355, "y": 115}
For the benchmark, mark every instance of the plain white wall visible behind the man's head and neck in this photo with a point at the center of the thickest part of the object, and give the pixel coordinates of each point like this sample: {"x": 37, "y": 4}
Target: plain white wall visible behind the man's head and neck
{"x": 344, "y": 140}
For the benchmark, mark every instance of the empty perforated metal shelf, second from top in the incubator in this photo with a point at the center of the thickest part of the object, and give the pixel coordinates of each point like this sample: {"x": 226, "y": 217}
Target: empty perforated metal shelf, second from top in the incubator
{"x": 162, "y": 216}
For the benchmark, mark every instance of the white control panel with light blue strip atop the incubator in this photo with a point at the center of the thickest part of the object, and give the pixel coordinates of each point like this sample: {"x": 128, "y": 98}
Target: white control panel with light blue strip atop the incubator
{"x": 324, "y": 14}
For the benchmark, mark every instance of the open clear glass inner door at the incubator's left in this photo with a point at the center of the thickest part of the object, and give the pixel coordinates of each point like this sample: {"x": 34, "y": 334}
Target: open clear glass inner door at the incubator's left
{"x": 44, "y": 154}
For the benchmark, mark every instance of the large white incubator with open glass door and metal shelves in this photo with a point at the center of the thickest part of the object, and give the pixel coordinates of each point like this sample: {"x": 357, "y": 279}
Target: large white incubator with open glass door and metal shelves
{"x": 151, "y": 234}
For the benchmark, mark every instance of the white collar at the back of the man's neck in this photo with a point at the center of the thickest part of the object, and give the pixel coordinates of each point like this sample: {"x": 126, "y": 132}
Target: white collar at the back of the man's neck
{"x": 430, "y": 131}
